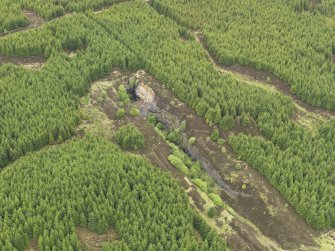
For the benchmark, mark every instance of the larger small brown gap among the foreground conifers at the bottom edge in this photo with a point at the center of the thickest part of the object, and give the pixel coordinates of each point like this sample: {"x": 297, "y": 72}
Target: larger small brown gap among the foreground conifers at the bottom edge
{"x": 91, "y": 241}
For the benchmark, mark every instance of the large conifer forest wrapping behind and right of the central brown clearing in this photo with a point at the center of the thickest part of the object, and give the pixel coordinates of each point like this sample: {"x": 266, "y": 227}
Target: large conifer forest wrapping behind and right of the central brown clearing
{"x": 41, "y": 107}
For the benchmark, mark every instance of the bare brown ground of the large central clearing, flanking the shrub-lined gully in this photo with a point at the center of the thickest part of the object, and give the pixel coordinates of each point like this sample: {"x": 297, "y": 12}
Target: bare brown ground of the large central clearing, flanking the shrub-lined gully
{"x": 260, "y": 219}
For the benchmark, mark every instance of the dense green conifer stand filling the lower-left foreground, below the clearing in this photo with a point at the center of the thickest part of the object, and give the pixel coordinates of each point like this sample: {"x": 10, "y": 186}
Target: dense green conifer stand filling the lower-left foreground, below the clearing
{"x": 90, "y": 183}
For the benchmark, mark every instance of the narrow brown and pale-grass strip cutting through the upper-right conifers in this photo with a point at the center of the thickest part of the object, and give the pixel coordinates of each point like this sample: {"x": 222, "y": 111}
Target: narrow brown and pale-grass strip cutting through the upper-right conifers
{"x": 266, "y": 79}
